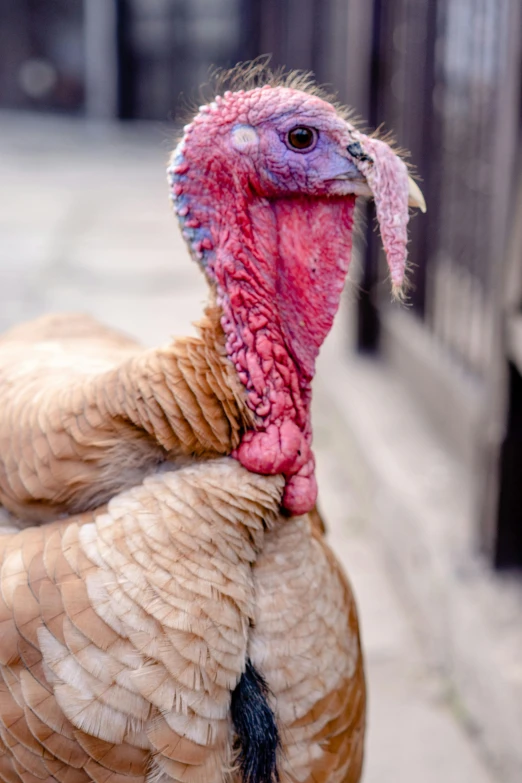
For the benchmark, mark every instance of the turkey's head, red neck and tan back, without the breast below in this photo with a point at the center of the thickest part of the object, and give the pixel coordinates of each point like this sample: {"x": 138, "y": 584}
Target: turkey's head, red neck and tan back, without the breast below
{"x": 267, "y": 211}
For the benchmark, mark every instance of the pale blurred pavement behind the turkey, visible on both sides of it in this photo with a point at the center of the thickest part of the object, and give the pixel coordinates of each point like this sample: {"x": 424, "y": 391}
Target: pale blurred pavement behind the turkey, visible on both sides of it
{"x": 85, "y": 224}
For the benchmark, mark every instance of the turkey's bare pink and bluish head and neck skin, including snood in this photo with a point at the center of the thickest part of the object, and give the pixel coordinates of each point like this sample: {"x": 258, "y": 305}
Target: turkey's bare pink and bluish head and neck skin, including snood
{"x": 272, "y": 228}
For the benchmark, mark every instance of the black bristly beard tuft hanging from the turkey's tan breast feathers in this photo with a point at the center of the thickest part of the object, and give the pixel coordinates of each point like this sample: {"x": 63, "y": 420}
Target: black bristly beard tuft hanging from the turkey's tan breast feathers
{"x": 258, "y": 741}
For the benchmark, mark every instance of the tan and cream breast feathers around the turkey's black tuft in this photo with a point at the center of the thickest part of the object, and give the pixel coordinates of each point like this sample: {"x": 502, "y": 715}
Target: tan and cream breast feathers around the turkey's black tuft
{"x": 123, "y": 633}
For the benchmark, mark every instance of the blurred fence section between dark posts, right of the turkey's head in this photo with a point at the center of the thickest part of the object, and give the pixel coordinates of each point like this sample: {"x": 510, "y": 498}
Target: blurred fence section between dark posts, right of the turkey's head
{"x": 442, "y": 67}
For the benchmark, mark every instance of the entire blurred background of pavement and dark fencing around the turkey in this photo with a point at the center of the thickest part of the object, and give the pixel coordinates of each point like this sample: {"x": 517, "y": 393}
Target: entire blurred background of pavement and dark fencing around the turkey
{"x": 419, "y": 407}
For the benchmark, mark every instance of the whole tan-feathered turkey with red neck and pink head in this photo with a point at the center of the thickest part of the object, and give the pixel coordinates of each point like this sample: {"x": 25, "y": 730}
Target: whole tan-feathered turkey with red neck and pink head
{"x": 197, "y": 628}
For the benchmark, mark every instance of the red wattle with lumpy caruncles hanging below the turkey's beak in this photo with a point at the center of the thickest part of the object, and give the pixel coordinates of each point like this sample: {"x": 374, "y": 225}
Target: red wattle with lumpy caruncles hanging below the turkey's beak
{"x": 278, "y": 308}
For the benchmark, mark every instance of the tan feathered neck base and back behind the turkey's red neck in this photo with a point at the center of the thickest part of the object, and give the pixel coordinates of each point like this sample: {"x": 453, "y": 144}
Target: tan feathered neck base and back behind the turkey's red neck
{"x": 94, "y": 418}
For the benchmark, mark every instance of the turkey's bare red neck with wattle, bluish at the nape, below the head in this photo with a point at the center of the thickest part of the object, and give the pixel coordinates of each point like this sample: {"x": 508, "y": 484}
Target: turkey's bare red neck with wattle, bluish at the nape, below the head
{"x": 278, "y": 266}
